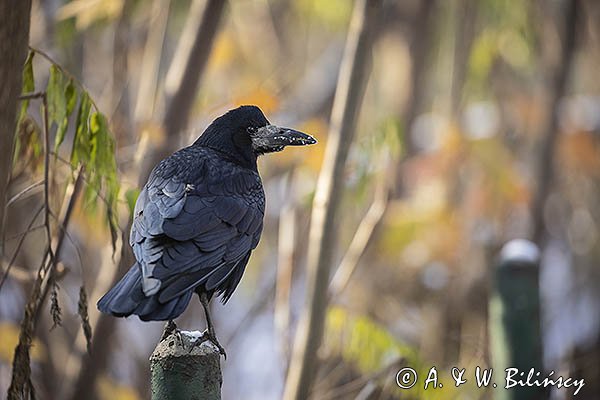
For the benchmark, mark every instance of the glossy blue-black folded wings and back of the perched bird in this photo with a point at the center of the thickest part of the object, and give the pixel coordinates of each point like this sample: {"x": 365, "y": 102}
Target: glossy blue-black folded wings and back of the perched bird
{"x": 199, "y": 230}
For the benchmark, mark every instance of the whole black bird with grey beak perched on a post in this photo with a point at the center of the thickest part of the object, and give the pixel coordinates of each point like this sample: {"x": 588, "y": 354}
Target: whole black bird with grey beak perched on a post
{"x": 198, "y": 218}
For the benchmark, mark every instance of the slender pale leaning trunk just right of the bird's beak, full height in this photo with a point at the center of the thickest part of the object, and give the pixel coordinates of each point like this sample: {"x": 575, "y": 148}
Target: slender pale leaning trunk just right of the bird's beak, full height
{"x": 322, "y": 238}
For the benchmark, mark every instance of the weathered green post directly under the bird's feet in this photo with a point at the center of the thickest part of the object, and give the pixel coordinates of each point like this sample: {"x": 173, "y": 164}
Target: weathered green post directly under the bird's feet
{"x": 183, "y": 370}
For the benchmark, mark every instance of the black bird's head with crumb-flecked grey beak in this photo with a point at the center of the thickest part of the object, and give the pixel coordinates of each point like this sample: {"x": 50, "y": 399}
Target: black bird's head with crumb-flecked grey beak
{"x": 246, "y": 131}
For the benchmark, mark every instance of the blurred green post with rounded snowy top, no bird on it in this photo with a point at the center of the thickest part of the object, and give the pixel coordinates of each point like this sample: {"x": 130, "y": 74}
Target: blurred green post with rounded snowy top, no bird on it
{"x": 515, "y": 334}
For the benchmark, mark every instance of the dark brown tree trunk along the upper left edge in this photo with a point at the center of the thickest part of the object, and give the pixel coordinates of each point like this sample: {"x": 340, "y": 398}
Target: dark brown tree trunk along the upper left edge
{"x": 14, "y": 38}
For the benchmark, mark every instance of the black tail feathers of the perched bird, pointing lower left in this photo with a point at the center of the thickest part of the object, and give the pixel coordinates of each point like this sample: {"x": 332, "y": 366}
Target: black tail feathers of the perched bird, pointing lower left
{"x": 127, "y": 298}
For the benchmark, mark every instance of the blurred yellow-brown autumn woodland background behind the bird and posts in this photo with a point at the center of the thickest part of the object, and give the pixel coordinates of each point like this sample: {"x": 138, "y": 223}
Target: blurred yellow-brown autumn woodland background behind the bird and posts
{"x": 480, "y": 123}
